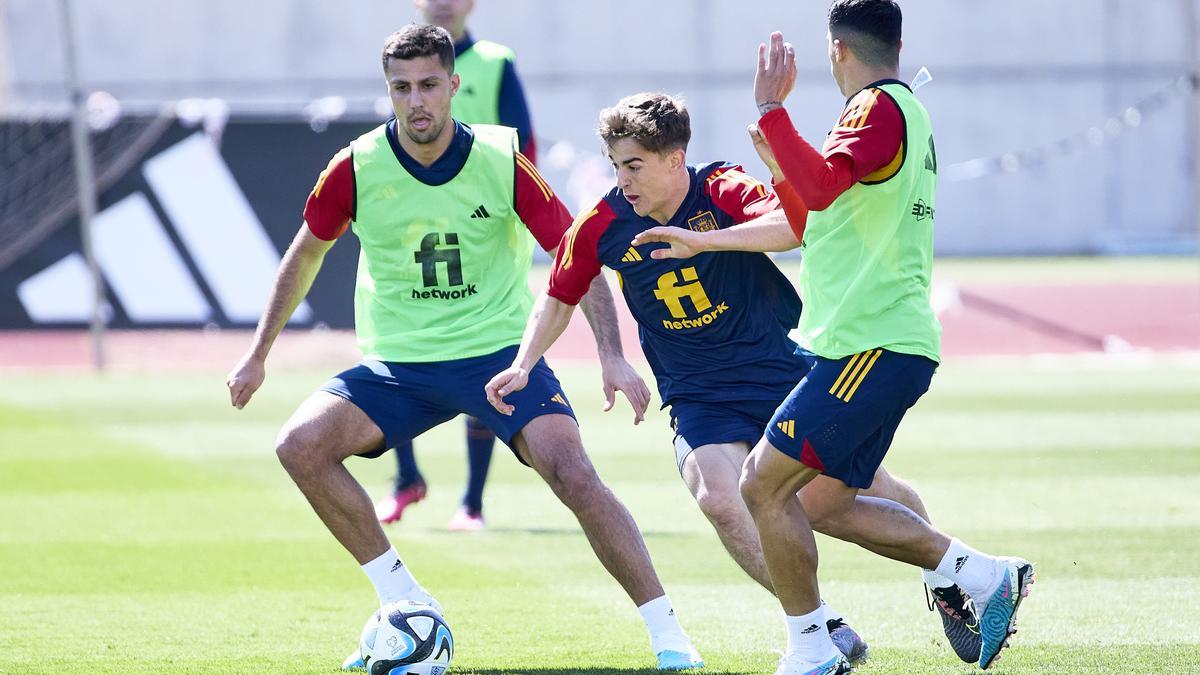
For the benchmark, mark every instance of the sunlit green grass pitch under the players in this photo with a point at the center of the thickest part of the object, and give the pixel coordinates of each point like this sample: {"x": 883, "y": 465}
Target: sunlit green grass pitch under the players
{"x": 147, "y": 528}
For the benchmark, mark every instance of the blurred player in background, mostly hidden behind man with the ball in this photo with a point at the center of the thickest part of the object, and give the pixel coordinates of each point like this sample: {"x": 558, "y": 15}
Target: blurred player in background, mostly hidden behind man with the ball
{"x": 490, "y": 93}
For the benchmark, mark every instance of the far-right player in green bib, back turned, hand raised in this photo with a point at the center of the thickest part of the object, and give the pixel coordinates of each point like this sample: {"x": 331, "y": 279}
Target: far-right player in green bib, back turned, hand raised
{"x": 868, "y": 333}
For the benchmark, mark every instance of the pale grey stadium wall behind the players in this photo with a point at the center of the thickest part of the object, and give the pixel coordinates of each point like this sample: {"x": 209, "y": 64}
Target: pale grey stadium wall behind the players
{"x": 1061, "y": 126}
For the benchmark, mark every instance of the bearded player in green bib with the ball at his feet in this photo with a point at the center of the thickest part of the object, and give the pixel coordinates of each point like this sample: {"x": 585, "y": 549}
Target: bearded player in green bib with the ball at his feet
{"x": 443, "y": 212}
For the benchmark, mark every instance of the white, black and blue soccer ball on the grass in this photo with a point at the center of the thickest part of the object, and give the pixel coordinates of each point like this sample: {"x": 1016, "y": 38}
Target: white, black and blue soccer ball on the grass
{"x": 406, "y": 638}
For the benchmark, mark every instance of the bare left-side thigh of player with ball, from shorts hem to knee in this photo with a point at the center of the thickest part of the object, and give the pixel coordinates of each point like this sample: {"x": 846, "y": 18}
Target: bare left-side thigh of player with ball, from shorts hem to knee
{"x": 331, "y": 427}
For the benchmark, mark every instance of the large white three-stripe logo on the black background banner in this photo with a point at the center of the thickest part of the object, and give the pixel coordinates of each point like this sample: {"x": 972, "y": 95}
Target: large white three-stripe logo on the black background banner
{"x": 145, "y": 258}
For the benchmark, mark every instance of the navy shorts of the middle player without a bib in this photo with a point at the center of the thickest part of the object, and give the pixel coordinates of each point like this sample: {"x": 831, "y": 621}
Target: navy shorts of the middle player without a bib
{"x": 706, "y": 423}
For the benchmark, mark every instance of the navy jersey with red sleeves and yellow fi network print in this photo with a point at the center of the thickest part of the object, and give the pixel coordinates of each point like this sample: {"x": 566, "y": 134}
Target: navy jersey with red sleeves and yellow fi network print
{"x": 713, "y": 327}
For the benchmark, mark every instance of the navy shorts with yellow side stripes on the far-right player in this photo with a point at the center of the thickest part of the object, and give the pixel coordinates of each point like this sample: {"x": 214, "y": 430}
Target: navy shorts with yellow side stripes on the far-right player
{"x": 841, "y": 420}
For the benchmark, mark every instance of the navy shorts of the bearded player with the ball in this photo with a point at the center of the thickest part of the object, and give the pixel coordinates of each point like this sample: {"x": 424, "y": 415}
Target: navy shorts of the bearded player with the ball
{"x": 407, "y": 399}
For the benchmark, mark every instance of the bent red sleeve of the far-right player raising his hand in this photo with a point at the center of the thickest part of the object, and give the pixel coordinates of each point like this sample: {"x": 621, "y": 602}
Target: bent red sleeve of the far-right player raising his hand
{"x": 866, "y": 145}
